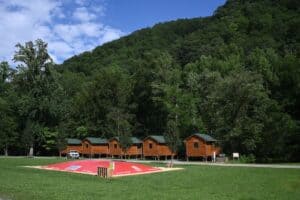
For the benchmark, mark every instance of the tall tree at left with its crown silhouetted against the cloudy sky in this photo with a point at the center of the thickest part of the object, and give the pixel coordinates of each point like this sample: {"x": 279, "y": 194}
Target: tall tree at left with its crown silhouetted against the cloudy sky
{"x": 34, "y": 80}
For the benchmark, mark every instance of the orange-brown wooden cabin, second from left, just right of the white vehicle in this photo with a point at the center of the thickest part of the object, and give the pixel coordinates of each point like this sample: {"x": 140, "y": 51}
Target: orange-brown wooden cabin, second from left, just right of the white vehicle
{"x": 94, "y": 146}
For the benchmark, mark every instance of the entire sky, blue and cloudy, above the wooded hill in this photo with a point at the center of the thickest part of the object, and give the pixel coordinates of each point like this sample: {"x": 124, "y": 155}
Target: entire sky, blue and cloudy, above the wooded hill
{"x": 73, "y": 26}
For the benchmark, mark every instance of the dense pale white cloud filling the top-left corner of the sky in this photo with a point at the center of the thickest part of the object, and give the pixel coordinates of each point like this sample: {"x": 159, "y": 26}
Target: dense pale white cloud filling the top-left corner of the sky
{"x": 20, "y": 21}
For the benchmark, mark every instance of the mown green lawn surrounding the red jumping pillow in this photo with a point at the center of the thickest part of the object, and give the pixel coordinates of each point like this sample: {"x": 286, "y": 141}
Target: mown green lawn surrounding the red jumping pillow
{"x": 194, "y": 182}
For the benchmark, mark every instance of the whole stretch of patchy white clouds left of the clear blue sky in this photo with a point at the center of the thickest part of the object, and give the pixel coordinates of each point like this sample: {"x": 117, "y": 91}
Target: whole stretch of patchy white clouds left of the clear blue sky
{"x": 22, "y": 21}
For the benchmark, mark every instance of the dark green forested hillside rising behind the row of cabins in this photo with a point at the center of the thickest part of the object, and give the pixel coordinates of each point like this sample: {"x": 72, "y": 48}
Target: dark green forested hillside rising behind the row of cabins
{"x": 234, "y": 75}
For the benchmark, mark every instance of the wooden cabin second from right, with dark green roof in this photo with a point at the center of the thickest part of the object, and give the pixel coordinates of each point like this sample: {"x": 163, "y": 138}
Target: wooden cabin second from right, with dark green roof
{"x": 156, "y": 146}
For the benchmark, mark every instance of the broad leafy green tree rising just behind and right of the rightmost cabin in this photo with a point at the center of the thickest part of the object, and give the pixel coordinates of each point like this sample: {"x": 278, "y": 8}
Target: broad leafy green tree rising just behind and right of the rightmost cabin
{"x": 238, "y": 109}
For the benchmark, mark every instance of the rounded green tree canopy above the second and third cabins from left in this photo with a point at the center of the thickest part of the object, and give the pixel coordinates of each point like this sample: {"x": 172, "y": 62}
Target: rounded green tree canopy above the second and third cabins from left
{"x": 104, "y": 104}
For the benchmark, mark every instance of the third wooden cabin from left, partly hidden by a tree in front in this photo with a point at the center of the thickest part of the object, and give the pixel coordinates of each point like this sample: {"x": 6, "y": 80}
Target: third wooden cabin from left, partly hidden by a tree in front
{"x": 134, "y": 150}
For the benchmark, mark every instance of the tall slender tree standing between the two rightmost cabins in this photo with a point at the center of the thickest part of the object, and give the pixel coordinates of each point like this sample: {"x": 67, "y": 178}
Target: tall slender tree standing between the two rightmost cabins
{"x": 167, "y": 91}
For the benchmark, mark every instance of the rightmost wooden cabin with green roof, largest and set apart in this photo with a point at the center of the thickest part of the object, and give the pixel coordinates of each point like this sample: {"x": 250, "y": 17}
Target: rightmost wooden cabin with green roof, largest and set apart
{"x": 201, "y": 145}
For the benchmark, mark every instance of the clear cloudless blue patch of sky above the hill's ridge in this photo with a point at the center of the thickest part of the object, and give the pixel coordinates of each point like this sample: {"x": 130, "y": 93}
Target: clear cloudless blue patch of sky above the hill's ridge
{"x": 130, "y": 15}
